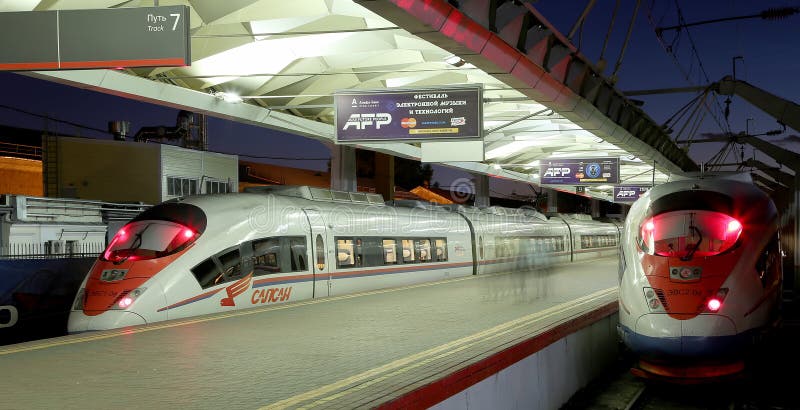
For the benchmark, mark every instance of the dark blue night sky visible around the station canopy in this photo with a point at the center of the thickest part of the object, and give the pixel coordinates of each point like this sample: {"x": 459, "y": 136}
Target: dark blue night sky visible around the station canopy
{"x": 769, "y": 50}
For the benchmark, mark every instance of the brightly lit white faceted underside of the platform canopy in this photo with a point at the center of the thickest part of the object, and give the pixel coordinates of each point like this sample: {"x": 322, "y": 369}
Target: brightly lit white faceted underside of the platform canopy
{"x": 287, "y": 58}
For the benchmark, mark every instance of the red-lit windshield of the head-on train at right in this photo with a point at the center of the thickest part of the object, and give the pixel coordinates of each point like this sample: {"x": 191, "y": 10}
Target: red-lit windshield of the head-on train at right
{"x": 686, "y": 234}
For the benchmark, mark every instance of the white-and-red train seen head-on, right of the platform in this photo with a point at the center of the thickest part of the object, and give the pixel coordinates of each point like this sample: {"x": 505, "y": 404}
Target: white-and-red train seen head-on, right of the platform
{"x": 700, "y": 275}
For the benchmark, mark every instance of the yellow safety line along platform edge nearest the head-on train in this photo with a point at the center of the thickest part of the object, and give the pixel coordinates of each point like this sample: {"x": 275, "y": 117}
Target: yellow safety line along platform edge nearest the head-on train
{"x": 399, "y": 366}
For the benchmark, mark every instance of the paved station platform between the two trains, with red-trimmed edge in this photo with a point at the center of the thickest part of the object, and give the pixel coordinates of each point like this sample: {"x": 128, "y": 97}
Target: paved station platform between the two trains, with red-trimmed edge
{"x": 407, "y": 347}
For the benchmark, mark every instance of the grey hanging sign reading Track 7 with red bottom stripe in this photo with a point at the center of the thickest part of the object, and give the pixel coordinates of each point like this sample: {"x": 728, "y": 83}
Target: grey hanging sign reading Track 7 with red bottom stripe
{"x": 97, "y": 38}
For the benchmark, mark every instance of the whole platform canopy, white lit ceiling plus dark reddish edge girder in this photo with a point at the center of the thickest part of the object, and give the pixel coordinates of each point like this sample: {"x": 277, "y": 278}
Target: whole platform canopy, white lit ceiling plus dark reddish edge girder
{"x": 287, "y": 58}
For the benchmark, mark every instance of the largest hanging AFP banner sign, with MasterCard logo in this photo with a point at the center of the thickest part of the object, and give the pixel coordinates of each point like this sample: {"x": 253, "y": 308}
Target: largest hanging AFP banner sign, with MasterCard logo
{"x": 446, "y": 113}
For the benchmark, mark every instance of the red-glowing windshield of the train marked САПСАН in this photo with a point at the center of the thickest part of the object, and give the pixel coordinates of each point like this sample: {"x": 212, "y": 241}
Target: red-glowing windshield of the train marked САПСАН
{"x": 157, "y": 232}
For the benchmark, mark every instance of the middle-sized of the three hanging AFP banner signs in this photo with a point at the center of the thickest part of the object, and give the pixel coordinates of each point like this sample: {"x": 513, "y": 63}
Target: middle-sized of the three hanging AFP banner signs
{"x": 573, "y": 171}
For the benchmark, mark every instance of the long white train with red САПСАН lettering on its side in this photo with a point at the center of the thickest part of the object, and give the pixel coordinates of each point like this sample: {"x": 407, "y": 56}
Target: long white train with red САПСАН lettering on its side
{"x": 217, "y": 253}
